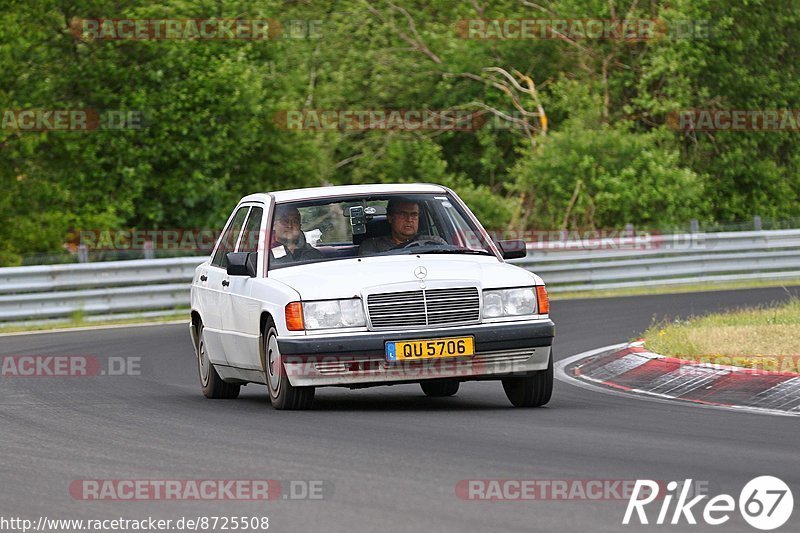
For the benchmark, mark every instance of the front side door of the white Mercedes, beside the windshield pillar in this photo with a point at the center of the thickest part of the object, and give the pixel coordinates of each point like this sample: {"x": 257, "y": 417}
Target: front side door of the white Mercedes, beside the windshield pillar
{"x": 241, "y": 312}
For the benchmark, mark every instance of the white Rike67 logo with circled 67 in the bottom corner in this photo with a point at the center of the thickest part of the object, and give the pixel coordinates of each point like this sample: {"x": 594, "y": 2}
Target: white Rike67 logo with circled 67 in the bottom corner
{"x": 765, "y": 503}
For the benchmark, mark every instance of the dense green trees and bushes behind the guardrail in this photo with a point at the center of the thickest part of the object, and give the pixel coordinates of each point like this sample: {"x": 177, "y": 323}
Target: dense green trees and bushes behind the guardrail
{"x": 608, "y": 158}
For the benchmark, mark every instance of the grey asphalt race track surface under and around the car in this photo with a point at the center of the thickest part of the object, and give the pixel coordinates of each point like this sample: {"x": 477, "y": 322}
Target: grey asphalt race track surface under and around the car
{"x": 389, "y": 457}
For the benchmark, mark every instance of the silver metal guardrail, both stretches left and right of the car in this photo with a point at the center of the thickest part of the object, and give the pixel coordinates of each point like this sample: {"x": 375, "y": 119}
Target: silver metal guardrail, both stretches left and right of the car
{"x": 159, "y": 286}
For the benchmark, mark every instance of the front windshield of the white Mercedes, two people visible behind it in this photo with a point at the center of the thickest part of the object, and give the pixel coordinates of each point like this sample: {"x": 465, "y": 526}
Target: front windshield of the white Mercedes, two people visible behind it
{"x": 364, "y": 226}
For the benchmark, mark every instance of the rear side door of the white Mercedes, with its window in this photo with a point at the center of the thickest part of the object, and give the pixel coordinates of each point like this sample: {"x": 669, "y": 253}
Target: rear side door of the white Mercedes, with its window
{"x": 213, "y": 287}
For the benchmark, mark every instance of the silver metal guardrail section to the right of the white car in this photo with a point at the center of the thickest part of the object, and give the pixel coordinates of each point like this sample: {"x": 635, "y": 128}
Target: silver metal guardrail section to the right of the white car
{"x": 629, "y": 261}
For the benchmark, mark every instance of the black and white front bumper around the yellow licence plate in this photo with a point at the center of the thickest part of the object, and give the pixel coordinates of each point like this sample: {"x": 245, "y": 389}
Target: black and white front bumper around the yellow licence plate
{"x": 501, "y": 350}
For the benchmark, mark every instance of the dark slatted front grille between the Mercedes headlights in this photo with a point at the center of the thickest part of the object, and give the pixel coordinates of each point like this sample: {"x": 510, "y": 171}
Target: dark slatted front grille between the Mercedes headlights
{"x": 429, "y": 307}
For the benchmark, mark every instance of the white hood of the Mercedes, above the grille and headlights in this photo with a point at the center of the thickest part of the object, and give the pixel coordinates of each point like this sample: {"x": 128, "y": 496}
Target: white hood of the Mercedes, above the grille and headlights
{"x": 349, "y": 278}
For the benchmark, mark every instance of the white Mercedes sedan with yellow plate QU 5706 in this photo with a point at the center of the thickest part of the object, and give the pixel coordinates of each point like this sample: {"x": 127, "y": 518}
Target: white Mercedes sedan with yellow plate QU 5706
{"x": 364, "y": 285}
